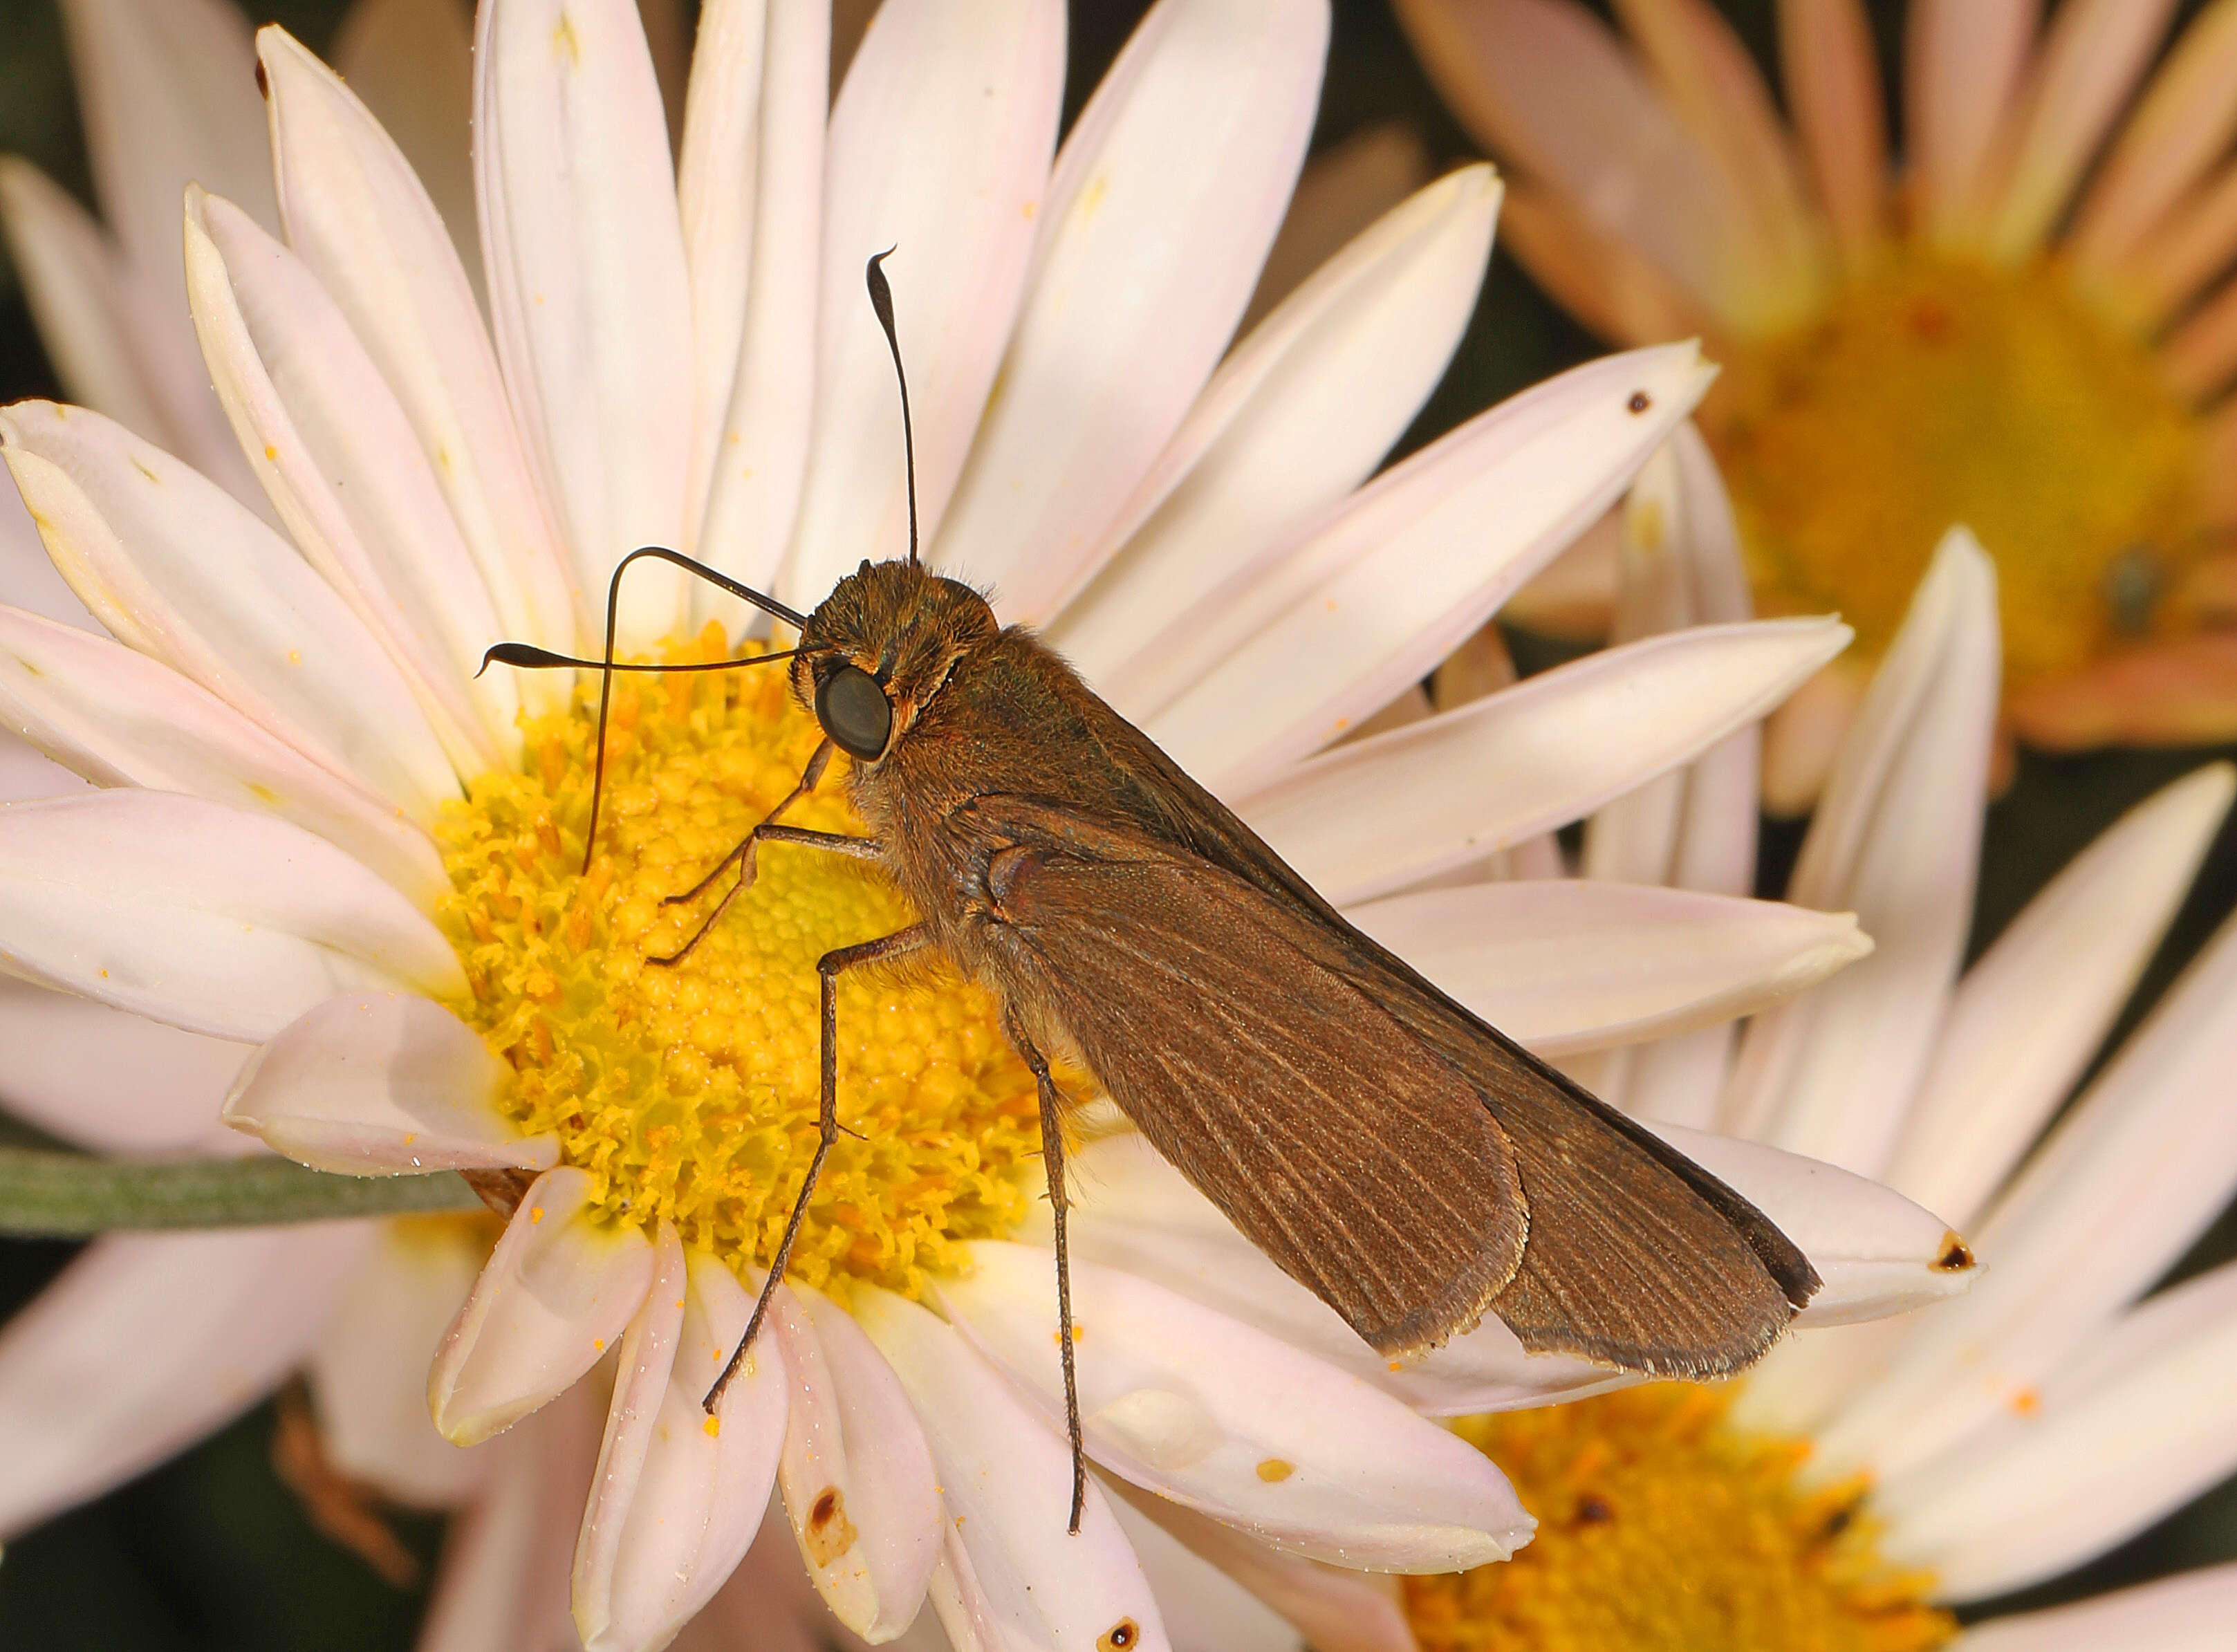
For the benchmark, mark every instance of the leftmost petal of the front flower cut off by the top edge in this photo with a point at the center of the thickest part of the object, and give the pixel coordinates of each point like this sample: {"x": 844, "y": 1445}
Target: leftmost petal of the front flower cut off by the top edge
{"x": 587, "y": 281}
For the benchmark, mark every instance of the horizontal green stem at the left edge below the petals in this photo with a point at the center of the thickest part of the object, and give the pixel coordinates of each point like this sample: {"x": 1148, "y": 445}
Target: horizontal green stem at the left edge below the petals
{"x": 75, "y": 1196}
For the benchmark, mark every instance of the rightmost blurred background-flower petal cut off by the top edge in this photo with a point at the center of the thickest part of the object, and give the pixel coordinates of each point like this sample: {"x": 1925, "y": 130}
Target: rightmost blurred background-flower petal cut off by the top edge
{"x": 2093, "y": 55}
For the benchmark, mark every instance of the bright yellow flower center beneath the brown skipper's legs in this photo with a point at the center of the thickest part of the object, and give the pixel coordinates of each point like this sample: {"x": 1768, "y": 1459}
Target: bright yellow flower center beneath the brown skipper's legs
{"x": 690, "y": 1091}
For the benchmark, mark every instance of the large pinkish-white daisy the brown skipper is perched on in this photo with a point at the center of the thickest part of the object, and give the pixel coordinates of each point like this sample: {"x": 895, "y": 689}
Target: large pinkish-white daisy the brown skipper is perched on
{"x": 317, "y": 832}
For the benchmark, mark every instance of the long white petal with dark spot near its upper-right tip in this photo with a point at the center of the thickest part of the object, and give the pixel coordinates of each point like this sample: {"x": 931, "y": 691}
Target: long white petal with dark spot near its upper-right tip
{"x": 1314, "y": 637}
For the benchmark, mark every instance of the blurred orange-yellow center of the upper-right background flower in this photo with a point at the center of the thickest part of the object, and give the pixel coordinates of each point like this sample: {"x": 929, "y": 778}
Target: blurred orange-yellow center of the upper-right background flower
{"x": 1947, "y": 393}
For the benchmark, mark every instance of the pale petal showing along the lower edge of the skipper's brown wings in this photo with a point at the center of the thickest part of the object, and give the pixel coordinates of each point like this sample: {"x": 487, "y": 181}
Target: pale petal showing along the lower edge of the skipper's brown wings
{"x": 1138, "y": 1214}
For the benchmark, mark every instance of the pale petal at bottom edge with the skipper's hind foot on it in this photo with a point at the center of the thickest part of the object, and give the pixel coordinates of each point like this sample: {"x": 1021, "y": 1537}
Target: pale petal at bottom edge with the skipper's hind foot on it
{"x": 1008, "y": 1487}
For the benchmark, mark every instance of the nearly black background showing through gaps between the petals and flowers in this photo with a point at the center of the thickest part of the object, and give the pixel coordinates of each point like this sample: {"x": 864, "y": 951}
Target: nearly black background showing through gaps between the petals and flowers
{"x": 211, "y": 1552}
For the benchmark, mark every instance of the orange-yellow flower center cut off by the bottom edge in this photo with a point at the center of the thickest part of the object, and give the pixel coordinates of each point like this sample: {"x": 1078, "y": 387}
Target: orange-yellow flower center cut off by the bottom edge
{"x": 1668, "y": 1530}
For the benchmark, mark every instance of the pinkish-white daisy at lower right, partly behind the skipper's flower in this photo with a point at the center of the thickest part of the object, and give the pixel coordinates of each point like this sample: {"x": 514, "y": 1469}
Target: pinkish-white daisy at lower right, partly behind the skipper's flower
{"x": 1860, "y": 1483}
